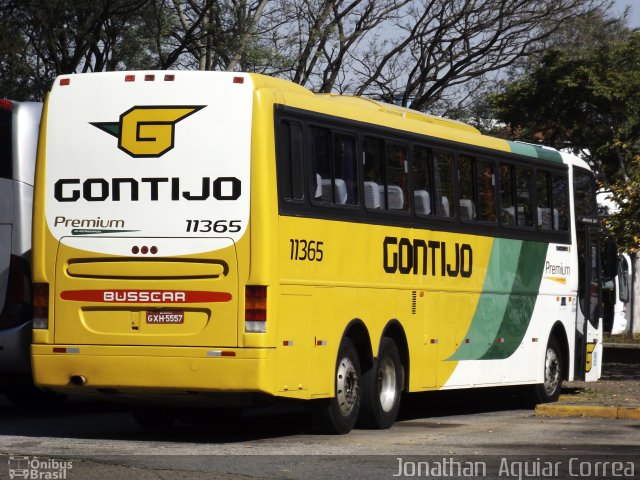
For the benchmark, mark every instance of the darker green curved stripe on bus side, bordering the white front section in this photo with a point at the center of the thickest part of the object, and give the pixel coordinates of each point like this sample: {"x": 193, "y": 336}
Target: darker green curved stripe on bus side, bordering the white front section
{"x": 522, "y": 300}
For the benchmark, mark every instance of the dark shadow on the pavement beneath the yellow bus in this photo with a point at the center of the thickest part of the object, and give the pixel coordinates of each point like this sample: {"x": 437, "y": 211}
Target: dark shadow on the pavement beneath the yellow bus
{"x": 101, "y": 420}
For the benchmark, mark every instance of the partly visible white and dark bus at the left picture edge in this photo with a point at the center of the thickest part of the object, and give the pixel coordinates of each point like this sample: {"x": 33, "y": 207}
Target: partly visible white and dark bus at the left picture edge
{"x": 19, "y": 124}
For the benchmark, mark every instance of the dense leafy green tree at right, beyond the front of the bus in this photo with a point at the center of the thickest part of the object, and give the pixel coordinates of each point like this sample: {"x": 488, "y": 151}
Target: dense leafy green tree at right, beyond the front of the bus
{"x": 583, "y": 93}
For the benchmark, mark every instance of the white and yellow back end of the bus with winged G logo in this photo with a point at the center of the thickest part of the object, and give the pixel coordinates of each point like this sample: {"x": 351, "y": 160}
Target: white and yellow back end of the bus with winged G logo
{"x": 141, "y": 237}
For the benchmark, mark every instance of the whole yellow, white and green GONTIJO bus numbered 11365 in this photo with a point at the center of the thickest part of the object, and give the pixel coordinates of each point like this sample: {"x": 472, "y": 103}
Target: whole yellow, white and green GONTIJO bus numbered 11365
{"x": 228, "y": 238}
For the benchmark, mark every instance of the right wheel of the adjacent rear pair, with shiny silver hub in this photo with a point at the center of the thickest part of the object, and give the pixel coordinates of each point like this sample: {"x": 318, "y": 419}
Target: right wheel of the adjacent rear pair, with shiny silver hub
{"x": 382, "y": 388}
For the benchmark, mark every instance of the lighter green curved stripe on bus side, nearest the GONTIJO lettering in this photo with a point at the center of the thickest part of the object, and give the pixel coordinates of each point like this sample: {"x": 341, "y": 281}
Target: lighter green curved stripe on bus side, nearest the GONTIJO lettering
{"x": 493, "y": 302}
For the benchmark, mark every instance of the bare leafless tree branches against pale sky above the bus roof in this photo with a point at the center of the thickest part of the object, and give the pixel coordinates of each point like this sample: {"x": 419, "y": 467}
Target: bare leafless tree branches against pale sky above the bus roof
{"x": 445, "y": 44}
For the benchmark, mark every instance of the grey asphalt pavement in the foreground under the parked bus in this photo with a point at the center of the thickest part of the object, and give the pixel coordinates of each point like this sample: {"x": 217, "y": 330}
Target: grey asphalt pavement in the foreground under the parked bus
{"x": 102, "y": 441}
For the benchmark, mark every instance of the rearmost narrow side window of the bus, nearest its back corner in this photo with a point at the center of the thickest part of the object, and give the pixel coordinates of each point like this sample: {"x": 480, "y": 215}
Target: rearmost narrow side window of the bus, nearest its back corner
{"x": 290, "y": 159}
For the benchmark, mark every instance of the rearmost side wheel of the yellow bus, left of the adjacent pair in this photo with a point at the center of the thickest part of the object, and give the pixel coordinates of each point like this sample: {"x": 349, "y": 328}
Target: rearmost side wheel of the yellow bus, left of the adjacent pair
{"x": 338, "y": 415}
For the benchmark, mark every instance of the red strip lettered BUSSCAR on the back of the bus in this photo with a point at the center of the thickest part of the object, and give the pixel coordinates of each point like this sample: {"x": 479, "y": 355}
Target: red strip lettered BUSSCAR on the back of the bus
{"x": 144, "y": 296}
